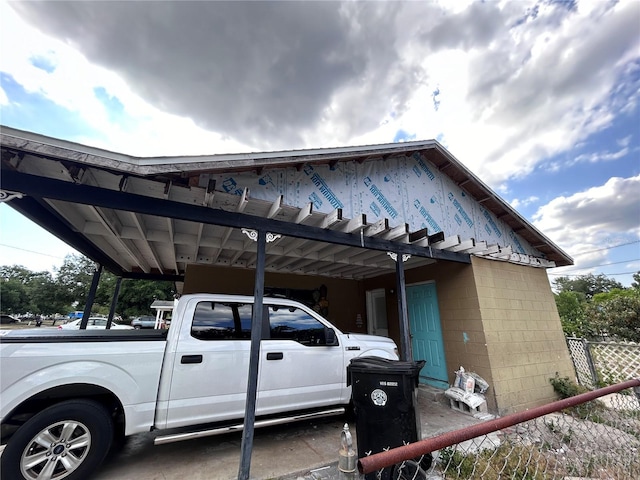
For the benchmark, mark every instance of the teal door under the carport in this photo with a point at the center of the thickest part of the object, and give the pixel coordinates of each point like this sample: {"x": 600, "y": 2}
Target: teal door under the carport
{"x": 426, "y": 333}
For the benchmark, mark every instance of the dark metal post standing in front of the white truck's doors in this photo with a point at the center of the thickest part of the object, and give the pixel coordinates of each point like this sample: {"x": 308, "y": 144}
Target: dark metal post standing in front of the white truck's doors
{"x": 254, "y": 360}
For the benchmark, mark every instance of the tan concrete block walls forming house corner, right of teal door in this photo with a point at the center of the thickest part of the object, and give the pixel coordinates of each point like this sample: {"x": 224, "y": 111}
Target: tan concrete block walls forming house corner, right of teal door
{"x": 500, "y": 321}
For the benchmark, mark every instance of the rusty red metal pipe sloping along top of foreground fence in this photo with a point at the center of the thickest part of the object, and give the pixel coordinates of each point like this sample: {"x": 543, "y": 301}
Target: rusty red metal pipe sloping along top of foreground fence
{"x": 381, "y": 460}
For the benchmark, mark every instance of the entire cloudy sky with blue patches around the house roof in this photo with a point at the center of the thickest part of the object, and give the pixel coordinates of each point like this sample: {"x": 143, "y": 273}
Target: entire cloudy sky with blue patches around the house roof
{"x": 540, "y": 99}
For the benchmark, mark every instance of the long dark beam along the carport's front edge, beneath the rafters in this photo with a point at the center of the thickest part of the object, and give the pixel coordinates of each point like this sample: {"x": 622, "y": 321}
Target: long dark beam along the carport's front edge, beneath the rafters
{"x": 41, "y": 187}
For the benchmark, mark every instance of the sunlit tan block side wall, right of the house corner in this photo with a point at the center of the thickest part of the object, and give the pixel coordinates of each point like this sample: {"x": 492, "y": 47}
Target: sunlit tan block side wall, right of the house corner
{"x": 523, "y": 334}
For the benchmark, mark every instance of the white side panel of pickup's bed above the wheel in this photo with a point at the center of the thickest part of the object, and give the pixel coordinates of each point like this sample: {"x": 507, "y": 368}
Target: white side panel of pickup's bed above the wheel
{"x": 50, "y": 362}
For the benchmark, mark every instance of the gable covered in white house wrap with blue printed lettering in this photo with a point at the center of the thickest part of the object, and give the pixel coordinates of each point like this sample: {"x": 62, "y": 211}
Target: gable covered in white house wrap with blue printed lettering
{"x": 403, "y": 188}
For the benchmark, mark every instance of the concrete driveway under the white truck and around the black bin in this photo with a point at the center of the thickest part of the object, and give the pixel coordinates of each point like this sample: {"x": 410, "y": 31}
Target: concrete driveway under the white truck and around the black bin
{"x": 279, "y": 452}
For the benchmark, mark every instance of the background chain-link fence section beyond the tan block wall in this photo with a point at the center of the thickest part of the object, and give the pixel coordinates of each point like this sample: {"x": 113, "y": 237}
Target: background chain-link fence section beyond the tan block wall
{"x": 604, "y": 363}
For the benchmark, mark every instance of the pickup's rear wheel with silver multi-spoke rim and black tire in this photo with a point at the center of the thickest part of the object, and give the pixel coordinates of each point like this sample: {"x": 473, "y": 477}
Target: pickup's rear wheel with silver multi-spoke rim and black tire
{"x": 67, "y": 441}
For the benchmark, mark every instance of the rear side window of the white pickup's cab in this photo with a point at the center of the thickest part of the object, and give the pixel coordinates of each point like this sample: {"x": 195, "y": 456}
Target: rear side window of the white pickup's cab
{"x": 221, "y": 321}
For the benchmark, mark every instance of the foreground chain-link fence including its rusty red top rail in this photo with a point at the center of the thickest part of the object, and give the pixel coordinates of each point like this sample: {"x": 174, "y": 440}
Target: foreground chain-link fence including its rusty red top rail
{"x": 596, "y": 437}
